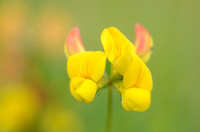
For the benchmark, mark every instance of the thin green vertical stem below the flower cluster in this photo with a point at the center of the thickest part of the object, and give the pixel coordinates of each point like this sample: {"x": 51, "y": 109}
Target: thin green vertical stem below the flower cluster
{"x": 109, "y": 114}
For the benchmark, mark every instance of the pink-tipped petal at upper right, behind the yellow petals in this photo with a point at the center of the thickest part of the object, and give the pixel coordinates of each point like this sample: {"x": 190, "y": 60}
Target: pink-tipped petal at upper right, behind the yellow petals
{"x": 143, "y": 42}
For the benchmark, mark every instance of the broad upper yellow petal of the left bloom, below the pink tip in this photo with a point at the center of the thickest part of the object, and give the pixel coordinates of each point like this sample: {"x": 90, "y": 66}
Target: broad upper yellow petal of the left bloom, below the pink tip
{"x": 89, "y": 65}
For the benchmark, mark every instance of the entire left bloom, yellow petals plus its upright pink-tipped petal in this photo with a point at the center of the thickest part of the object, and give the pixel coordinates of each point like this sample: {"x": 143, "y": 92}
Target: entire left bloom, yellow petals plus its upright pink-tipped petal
{"x": 84, "y": 68}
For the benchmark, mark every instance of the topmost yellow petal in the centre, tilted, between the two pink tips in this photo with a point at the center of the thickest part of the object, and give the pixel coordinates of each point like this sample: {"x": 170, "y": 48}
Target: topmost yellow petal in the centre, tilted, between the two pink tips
{"x": 117, "y": 46}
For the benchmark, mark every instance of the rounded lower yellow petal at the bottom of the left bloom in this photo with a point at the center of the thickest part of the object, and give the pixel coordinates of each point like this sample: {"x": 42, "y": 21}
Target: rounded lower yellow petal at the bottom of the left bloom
{"x": 83, "y": 89}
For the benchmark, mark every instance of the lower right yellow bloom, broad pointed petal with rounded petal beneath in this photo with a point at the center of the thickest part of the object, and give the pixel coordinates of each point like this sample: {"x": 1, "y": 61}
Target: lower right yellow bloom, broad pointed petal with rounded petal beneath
{"x": 137, "y": 86}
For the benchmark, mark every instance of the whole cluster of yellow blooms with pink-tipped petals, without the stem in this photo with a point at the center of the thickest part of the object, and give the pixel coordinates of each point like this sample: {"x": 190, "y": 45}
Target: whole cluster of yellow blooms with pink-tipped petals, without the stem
{"x": 129, "y": 74}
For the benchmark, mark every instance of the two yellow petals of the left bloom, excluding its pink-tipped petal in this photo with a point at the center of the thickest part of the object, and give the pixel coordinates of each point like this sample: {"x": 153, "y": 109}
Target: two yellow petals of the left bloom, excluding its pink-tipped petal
{"x": 85, "y": 70}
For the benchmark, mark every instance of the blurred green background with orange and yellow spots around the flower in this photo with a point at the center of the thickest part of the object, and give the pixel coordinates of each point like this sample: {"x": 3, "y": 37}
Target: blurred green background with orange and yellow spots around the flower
{"x": 34, "y": 86}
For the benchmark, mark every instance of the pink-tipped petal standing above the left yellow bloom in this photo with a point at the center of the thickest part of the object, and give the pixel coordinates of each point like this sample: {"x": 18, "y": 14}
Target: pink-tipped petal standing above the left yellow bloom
{"x": 73, "y": 43}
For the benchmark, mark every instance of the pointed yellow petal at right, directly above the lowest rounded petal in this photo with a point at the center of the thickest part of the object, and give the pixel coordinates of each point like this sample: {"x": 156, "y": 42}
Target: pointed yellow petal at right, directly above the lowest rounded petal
{"x": 137, "y": 75}
